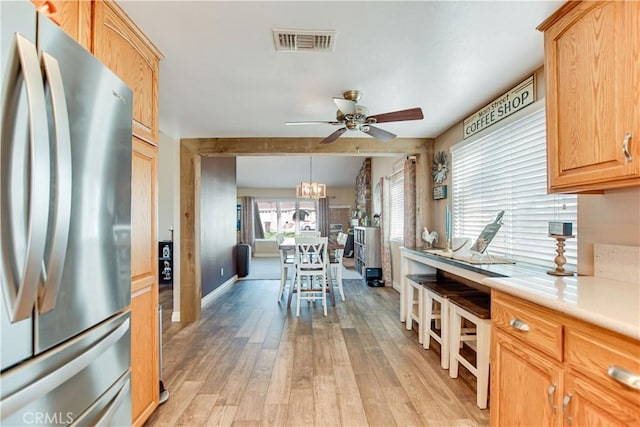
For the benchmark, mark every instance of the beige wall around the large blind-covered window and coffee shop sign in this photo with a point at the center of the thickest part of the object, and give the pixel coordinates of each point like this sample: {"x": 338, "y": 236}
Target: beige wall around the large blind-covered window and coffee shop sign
{"x": 612, "y": 218}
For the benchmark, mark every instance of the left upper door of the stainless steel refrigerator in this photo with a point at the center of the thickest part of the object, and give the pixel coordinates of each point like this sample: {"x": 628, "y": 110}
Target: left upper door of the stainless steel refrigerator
{"x": 17, "y": 335}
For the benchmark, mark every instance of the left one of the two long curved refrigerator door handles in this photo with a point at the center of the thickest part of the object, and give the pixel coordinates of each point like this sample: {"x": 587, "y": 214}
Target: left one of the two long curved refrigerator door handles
{"x": 20, "y": 287}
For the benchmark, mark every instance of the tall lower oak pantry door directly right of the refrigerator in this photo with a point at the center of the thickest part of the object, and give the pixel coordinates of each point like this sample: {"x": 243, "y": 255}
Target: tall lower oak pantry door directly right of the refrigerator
{"x": 144, "y": 282}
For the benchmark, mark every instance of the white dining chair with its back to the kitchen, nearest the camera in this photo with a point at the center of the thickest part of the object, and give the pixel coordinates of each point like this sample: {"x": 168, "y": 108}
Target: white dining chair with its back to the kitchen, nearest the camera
{"x": 311, "y": 261}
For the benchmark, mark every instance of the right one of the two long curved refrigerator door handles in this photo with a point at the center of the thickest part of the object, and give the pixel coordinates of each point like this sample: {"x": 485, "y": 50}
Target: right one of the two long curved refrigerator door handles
{"x": 53, "y": 262}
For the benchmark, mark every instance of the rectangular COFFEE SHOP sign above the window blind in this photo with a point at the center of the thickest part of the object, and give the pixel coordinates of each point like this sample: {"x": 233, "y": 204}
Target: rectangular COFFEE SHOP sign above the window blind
{"x": 505, "y": 105}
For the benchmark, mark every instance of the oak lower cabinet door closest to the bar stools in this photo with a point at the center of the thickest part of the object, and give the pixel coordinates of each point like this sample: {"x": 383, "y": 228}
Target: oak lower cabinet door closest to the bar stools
{"x": 525, "y": 386}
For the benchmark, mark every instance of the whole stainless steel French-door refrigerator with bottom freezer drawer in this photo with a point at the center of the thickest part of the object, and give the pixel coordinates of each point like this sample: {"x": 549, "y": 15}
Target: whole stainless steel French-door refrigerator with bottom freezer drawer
{"x": 65, "y": 219}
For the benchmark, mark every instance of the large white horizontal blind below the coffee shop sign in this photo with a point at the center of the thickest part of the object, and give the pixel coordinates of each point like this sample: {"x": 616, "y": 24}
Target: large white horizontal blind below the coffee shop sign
{"x": 507, "y": 170}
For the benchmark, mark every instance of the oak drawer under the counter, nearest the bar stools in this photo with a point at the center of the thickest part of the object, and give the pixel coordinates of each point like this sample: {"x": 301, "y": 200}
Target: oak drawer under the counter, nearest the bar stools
{"x": 527, "y": 322}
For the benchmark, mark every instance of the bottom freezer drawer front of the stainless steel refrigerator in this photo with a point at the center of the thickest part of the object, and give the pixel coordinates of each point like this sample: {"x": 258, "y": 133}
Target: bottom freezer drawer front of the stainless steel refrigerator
{"x": 67, "y": 384}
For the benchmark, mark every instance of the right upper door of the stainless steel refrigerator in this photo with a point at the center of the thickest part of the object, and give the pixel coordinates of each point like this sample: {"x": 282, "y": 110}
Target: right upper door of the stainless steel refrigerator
{"x": 94, "y": 261}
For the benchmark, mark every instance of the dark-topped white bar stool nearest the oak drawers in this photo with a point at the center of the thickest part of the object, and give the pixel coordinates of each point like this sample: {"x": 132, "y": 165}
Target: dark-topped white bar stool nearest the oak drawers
{"x": 475, "y": 309}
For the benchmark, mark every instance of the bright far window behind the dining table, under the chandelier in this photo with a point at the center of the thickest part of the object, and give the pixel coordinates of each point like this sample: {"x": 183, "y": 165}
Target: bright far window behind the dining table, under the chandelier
{"x": 288, "y": 217}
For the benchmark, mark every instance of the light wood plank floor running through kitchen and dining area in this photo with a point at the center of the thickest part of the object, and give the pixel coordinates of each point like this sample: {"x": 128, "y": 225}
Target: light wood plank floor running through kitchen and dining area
{"x": 249, "y": 361}
